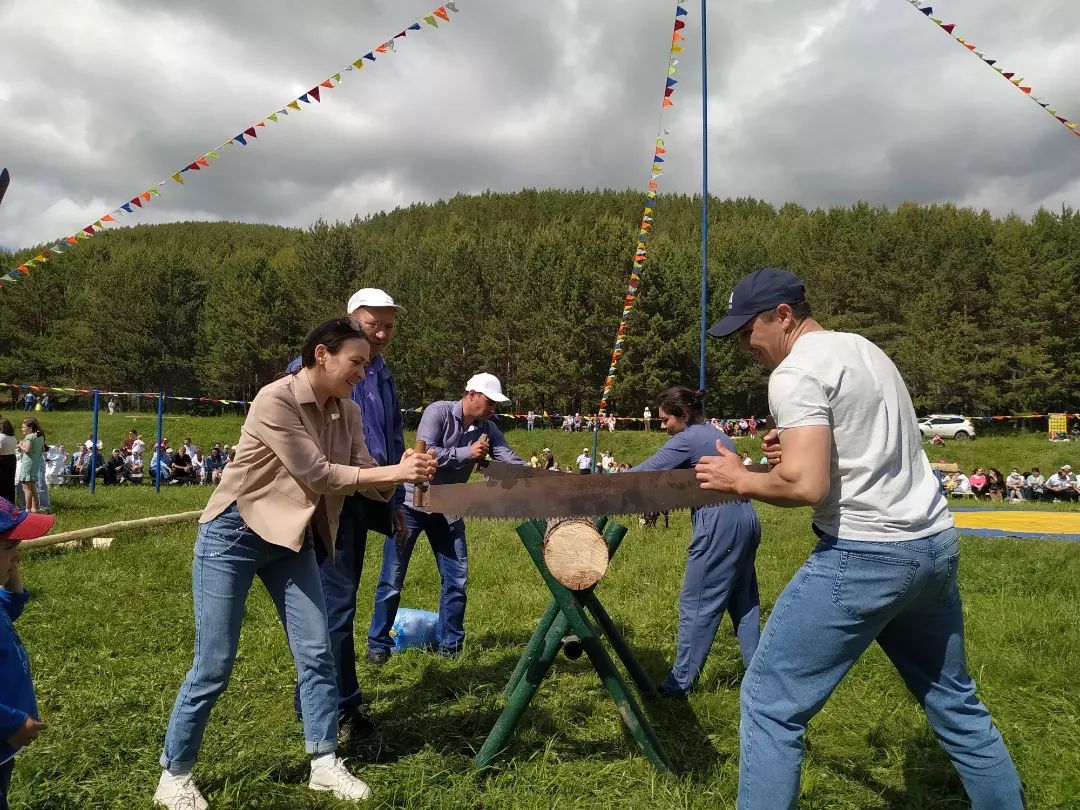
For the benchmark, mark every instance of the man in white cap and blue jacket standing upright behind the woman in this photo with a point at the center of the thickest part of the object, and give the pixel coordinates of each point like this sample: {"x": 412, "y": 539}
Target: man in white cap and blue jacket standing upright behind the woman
{"x": 376, "y": 315}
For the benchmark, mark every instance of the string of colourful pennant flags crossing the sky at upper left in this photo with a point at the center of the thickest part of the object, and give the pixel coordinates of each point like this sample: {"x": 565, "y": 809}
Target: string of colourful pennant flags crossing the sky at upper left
{"x": 204, "y": 161}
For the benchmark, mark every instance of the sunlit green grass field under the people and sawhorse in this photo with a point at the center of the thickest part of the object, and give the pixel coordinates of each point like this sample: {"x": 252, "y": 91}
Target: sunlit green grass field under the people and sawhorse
{"x": 111, "y": 638}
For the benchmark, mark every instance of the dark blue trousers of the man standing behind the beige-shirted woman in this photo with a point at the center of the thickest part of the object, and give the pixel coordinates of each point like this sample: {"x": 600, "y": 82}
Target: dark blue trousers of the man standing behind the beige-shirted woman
{"x": 341, "y": 577}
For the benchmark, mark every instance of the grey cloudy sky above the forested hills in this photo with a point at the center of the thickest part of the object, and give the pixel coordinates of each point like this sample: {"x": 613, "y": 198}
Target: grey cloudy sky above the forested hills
{"x": 819, "y": 102}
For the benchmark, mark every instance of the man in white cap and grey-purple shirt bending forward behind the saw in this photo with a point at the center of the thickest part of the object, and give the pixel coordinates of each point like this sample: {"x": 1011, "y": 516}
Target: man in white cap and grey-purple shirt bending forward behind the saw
{"x": 461, "y": 435}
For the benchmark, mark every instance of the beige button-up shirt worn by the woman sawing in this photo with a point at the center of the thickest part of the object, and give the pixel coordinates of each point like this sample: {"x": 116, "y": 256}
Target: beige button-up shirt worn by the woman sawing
{"x": 295, "y": 464}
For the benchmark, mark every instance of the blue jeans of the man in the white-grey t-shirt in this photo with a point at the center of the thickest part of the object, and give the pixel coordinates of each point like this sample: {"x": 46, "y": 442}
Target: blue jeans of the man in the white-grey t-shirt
{"x": 847, "y": 596}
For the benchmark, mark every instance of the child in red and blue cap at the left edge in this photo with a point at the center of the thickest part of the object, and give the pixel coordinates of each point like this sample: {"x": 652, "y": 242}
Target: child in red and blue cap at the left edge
{"x": 19, "y": 710}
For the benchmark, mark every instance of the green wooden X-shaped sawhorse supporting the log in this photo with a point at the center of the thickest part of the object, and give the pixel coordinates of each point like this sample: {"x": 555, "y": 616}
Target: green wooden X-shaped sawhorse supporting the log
{"x": 565, "y": 623}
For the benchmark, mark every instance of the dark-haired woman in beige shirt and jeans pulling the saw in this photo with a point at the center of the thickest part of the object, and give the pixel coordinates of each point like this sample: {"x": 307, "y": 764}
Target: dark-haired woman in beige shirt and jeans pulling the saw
{"x": 301, "y": 452}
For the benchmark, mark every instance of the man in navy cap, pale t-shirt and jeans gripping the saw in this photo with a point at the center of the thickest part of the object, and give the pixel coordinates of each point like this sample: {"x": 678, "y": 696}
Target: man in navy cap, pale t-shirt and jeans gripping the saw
{"x": 886, "y": 568}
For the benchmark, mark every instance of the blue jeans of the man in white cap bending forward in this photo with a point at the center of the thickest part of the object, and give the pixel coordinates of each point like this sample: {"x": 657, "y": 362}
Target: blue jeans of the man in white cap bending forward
{"x": 452, "y": 558}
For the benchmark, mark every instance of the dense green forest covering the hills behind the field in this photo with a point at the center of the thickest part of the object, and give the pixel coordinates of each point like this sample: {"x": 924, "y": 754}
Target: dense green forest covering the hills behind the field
{"x": 980, "y": 314}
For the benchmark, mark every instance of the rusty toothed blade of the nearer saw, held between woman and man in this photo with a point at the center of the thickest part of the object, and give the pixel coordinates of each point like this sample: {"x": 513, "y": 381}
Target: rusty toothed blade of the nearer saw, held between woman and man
{"x": 576, "y": 496}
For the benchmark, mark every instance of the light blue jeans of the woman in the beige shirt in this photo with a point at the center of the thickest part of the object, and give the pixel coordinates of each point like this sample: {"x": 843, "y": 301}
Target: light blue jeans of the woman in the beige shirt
{"x": 228, "y": 558}
